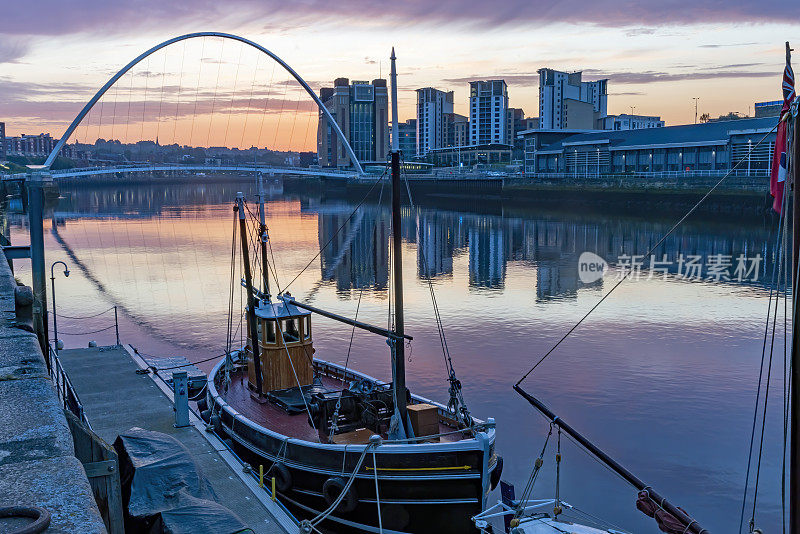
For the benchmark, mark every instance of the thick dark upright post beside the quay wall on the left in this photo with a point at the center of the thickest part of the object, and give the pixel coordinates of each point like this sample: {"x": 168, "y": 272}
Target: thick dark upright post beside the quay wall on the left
{"x": 35, "y": 220}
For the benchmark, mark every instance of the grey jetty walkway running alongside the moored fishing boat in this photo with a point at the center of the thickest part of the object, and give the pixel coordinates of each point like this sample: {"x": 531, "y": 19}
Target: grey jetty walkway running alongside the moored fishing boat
{"x": 116, "y": 399}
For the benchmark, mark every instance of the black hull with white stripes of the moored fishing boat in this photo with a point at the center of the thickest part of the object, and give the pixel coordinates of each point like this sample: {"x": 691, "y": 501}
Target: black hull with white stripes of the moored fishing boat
{"x": 422, "y": 487}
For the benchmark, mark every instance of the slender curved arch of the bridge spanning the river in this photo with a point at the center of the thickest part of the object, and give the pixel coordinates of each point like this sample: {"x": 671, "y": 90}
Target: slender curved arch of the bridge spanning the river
{"x": 89, "y": 105}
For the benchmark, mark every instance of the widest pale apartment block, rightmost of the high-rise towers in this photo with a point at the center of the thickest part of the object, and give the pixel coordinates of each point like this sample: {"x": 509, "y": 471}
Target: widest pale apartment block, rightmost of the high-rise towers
{"x": 567, "y": 102}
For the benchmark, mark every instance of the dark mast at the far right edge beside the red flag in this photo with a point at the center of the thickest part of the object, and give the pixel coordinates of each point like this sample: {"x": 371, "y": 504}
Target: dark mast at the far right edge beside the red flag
{"x": 794, "y": 397}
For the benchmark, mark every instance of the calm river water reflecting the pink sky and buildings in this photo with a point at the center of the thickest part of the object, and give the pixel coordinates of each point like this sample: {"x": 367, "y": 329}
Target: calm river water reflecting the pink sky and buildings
{"x": 662, "y": 376}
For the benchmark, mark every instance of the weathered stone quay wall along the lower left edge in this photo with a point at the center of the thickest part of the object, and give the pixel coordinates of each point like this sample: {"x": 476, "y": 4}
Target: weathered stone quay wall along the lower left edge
{"x": 37, "y": 462}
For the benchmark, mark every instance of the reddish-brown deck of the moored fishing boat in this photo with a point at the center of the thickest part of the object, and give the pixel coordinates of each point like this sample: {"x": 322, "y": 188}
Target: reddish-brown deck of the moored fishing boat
{"x": 296, "y": 426}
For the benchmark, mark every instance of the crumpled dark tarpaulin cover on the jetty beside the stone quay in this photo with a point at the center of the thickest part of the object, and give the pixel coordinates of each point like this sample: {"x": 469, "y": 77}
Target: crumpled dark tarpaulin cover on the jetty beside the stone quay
{"x": 164, "y": 490}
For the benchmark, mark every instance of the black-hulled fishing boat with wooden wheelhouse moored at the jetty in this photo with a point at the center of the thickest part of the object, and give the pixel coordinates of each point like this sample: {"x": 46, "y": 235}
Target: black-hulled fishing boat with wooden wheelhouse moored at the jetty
{"x": 344, "y": 450}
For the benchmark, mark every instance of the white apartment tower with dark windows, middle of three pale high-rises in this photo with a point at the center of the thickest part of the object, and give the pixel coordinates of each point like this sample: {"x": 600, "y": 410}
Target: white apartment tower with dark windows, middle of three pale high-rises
{"x": 488, "y": 112}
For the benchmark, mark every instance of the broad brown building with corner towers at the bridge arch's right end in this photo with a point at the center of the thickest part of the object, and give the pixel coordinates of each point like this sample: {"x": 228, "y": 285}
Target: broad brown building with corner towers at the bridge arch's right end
{"x": 361, "y": 109}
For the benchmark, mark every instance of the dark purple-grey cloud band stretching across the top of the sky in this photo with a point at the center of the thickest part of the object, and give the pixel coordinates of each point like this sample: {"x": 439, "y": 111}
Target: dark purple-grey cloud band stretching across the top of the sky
{"x": 103, "y": 17}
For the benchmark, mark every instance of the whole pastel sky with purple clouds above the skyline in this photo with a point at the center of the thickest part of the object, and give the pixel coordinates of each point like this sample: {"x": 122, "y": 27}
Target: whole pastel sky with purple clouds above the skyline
{"x": 657, "y": 56}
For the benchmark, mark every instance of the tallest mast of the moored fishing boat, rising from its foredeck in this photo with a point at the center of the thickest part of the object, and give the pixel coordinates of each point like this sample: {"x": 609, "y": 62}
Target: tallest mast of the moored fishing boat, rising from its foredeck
{"x": 399, "y": 363}
